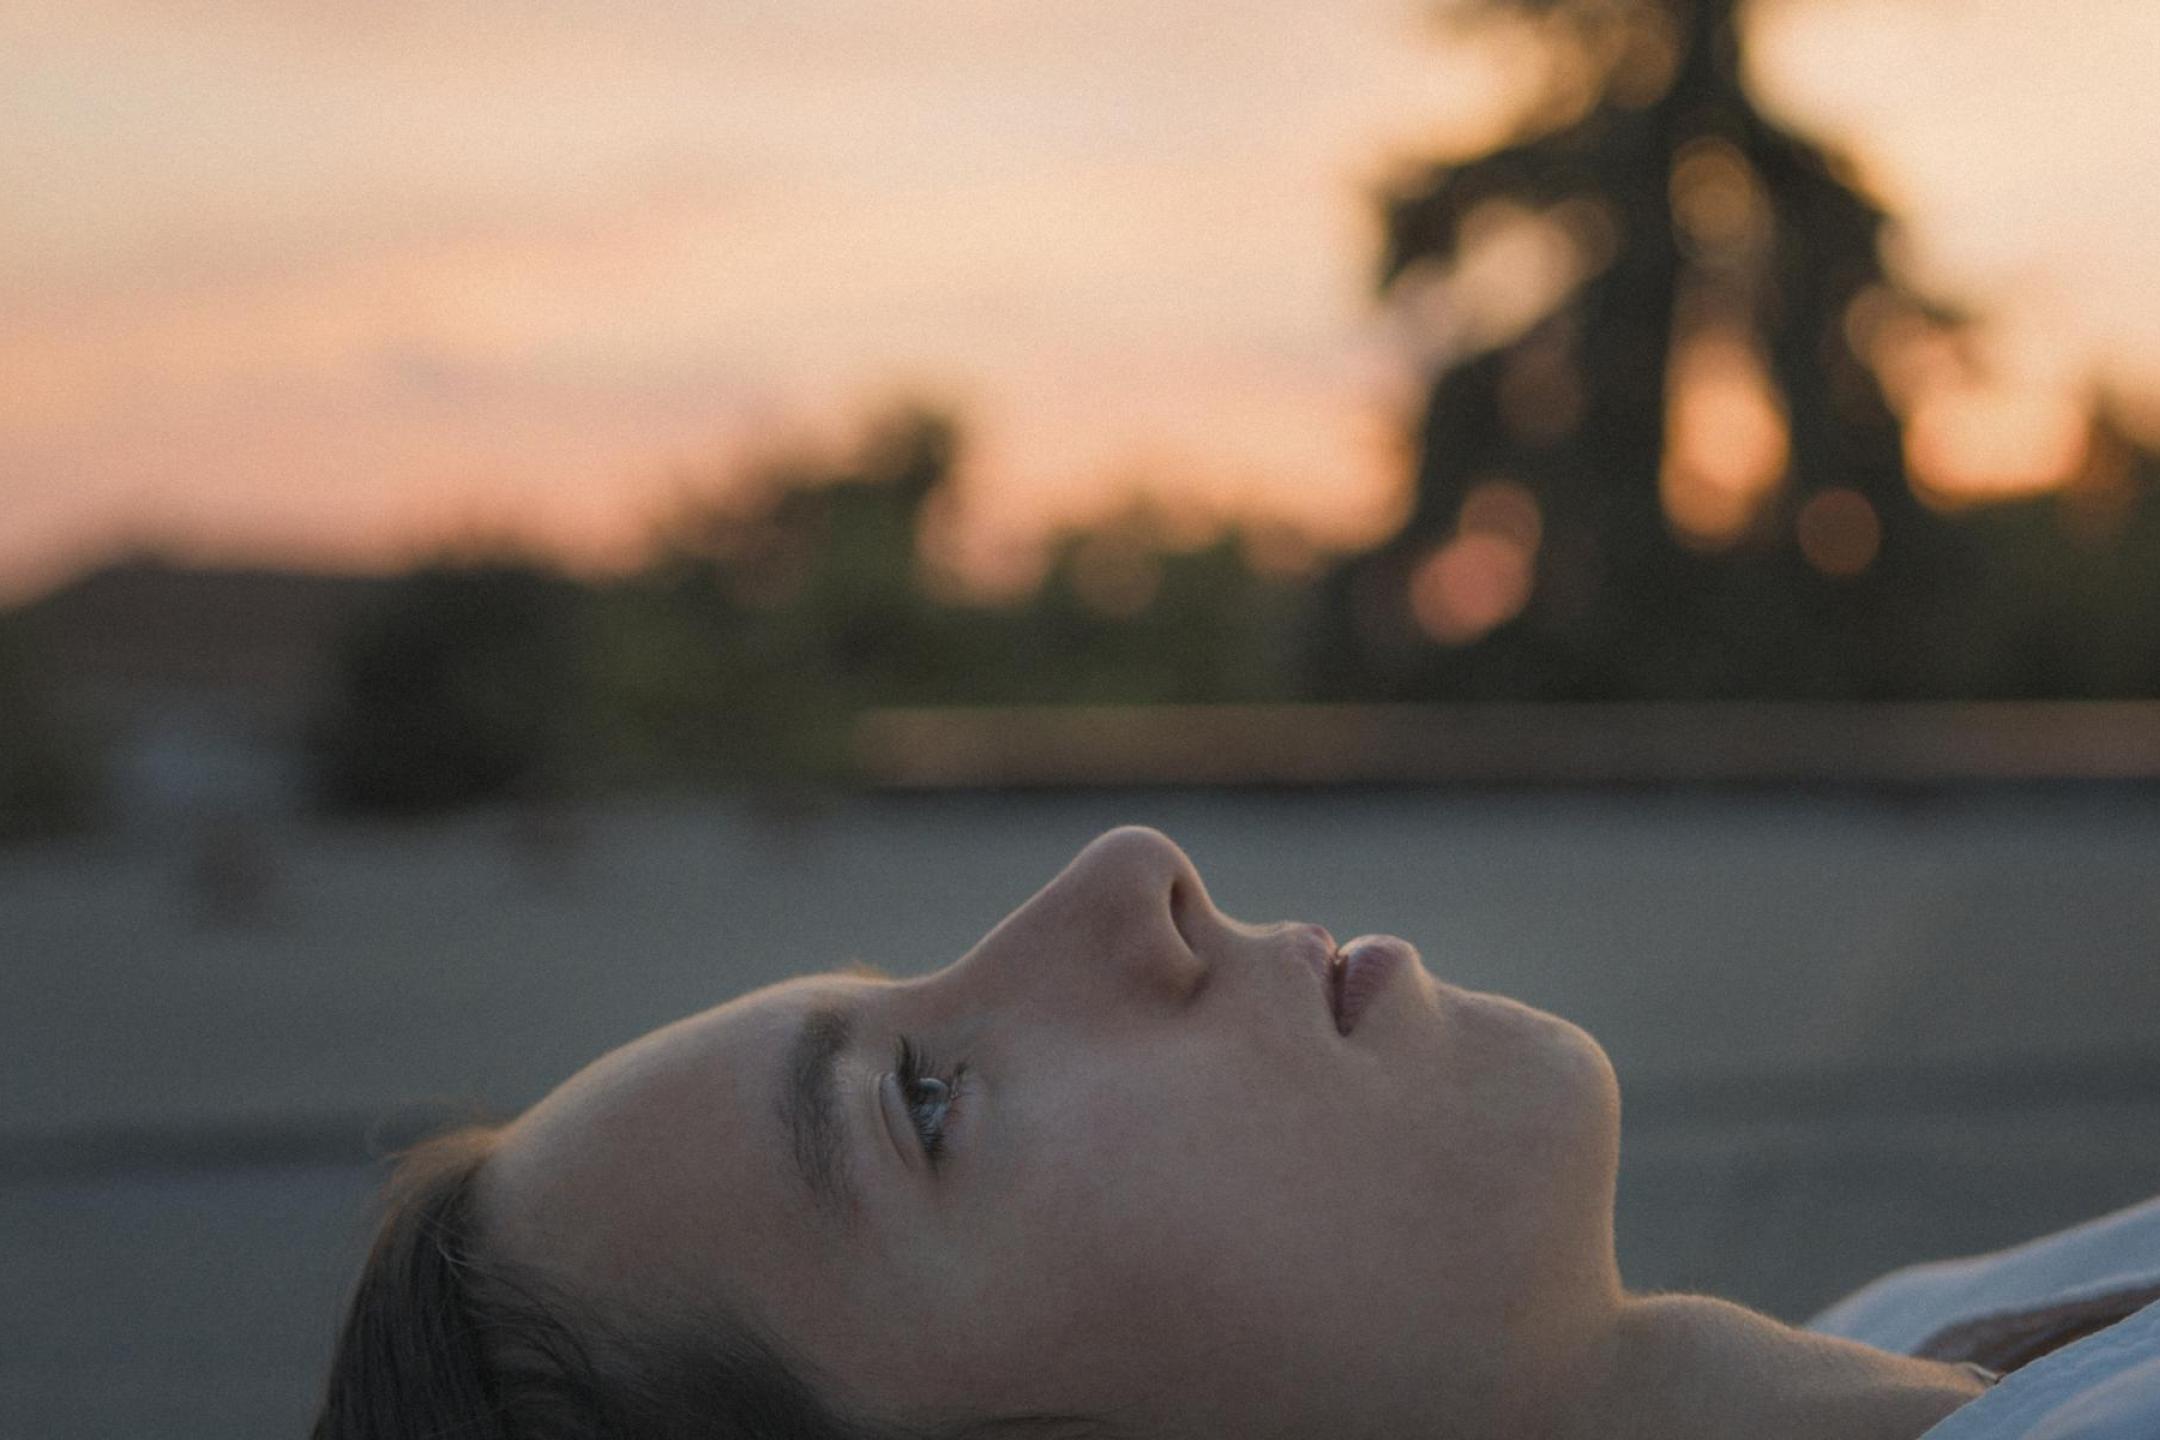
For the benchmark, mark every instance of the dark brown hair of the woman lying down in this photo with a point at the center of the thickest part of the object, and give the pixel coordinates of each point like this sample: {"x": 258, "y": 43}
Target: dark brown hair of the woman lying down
{"x": 446, "y": 1342}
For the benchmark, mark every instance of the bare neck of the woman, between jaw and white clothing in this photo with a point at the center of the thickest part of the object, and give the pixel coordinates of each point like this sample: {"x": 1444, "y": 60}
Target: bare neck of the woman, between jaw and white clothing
{"x": 1686, "y": 1368}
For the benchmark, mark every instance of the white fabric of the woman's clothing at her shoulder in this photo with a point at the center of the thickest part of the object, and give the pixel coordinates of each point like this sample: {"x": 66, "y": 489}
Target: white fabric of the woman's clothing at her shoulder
{"x": 2105, "y": 1387}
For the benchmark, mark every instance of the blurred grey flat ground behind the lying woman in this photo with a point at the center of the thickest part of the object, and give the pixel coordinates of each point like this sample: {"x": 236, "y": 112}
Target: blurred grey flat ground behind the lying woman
{"x": 1852, "y": 1031}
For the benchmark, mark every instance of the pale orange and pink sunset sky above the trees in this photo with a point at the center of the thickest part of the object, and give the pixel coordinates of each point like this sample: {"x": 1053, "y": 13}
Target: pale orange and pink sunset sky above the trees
{"x": 327, "y": 282}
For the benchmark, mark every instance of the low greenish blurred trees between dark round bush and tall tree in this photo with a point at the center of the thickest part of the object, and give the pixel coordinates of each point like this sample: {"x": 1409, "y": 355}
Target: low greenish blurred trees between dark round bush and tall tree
{"x": 781, "y": 610}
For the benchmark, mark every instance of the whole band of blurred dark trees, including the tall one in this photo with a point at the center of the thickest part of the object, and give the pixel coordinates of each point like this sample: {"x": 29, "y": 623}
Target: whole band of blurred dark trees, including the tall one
{"x": 1684, "y": 478}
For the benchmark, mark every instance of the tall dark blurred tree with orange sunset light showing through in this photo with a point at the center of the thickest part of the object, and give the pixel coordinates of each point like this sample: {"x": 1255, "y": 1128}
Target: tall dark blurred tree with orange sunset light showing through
{"x": 1684, "y": 480}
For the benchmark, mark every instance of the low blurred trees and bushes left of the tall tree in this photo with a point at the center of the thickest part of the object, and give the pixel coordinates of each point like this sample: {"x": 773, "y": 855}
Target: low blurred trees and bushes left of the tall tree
{"x": 768, "y": 619}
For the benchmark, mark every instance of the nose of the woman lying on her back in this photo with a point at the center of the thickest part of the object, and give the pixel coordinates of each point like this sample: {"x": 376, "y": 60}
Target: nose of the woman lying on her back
{"x": 1122, "y": 923}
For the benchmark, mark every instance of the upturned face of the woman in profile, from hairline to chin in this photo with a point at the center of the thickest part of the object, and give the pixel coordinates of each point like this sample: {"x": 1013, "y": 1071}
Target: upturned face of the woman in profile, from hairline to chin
{"x": 1157, "y": 1182}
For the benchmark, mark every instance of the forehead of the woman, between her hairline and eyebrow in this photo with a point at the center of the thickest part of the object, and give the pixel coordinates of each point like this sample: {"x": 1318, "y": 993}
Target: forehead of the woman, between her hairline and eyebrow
{"x": 664, "y": 1163}
